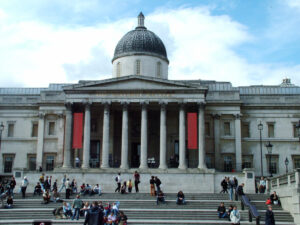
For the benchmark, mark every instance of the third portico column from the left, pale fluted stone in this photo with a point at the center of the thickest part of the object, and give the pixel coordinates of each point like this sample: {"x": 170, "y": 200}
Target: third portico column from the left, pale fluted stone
{"x": 105, "y": 137}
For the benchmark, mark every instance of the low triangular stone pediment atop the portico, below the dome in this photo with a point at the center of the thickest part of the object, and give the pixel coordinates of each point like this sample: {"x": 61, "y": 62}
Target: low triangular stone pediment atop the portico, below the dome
{"x": 131, "y": 83}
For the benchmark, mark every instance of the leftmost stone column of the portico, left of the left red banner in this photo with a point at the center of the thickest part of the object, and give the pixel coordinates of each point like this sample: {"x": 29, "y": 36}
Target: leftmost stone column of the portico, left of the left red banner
{"x": 68, "y": 137}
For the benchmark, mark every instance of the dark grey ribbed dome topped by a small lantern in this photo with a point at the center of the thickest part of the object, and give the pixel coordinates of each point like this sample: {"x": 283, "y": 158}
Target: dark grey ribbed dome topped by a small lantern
{"x": 140, "y": 42}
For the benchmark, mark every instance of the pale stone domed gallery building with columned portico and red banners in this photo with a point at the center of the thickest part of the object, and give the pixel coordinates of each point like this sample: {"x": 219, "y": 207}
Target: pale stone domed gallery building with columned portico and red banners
{"x": 140, "y": 119}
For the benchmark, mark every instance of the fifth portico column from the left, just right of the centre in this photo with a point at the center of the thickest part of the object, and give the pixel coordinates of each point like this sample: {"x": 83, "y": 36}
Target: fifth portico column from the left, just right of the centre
{"x": 144, "y": 137}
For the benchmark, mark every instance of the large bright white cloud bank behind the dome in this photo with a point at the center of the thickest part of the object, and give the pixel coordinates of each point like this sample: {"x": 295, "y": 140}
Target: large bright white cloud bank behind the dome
{"x": 200, "y": 46}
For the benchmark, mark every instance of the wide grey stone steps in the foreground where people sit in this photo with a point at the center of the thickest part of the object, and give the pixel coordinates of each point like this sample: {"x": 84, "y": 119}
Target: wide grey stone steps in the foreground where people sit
{"x": 141, "y": 208}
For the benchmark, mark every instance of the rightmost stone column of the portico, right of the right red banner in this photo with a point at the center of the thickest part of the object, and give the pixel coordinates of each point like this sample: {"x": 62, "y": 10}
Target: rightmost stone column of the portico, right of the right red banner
{"x": 201, "y": 136}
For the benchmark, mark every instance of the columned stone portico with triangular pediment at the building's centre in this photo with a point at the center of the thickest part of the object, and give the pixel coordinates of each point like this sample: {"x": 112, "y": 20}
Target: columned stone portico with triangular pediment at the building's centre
{"x": 139, "y": 135}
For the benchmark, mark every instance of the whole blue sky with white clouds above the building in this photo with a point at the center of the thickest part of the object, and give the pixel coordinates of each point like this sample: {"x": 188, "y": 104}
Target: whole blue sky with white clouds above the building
{"x": 245, "y": 42}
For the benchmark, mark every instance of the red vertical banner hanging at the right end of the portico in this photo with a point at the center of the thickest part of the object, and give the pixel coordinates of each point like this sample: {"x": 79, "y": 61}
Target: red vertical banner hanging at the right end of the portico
{"x": 192, "y": 130}
